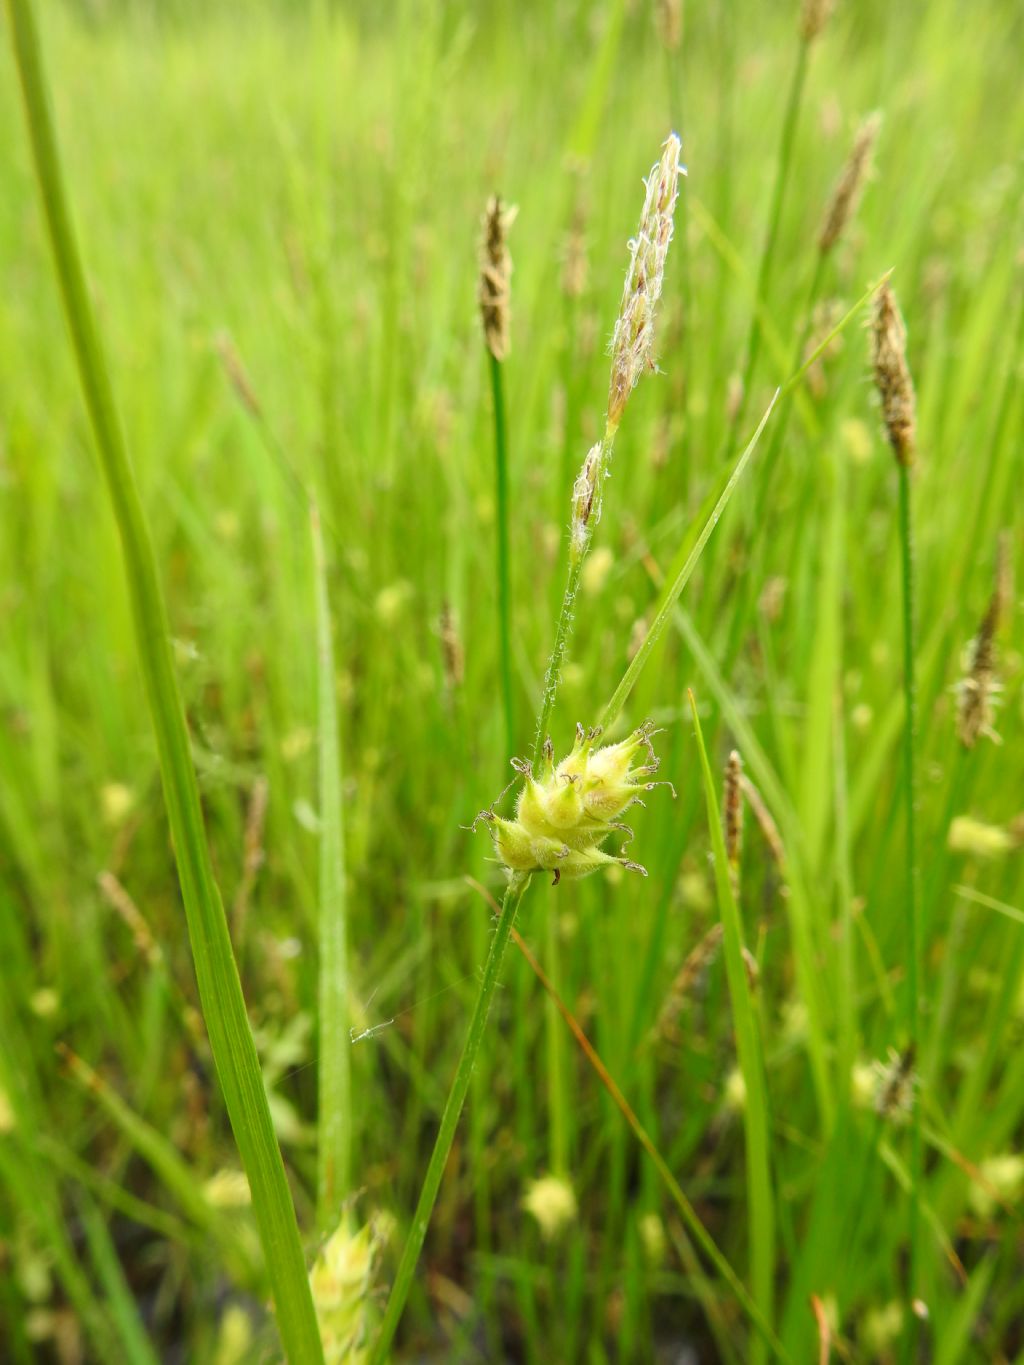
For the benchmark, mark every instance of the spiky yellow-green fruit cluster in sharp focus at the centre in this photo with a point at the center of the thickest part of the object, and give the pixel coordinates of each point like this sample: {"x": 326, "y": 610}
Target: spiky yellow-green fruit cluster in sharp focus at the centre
{"x": 566, "y": 814}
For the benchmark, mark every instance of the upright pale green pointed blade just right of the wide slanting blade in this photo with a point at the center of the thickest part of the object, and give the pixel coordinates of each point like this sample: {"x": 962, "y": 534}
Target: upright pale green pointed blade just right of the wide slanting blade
{"x": 335, "y": 1100}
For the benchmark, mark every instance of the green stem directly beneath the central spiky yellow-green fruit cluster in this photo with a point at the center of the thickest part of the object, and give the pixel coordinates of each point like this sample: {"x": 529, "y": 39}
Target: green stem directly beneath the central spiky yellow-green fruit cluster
{"x": 450, "y": 1120}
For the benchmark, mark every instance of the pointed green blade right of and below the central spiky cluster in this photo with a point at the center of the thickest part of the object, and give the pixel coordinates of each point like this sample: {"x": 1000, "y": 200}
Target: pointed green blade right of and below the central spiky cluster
{"x": 763, "y": 1217}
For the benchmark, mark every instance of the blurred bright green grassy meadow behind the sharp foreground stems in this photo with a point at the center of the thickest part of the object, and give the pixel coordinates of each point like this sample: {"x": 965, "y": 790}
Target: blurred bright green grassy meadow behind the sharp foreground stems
{"x": 281, "y": 210}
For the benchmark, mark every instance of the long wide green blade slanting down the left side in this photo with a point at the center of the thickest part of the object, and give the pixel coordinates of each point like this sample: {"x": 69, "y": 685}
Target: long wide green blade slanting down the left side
{"x": 221, "y": 989}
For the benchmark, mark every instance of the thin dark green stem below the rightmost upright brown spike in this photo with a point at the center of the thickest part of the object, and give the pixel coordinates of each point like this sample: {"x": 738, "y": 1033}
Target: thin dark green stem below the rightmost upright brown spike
{"x": 911, "y": 895}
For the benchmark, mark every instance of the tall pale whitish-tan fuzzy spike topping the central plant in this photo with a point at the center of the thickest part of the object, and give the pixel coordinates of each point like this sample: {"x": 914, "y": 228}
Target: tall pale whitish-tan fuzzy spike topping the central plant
{"x": 634, "y": 332}
